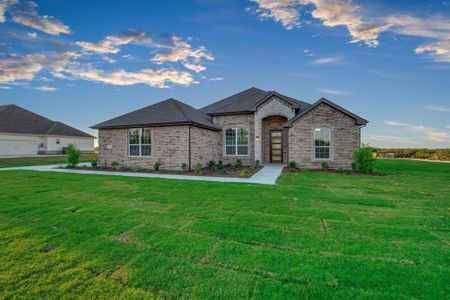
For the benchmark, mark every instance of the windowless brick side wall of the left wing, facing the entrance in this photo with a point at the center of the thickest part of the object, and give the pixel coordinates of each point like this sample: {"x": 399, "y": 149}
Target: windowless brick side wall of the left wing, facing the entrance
{"x": 204, "y": 146}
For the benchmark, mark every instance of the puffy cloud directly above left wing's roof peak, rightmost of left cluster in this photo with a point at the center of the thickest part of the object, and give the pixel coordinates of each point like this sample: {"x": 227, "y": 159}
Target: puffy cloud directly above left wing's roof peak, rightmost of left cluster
{"x": 183, "y": 52}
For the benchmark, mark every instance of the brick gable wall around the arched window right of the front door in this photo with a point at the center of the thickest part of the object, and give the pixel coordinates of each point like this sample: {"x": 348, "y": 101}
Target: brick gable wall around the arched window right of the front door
{"x": 345, "y": 136}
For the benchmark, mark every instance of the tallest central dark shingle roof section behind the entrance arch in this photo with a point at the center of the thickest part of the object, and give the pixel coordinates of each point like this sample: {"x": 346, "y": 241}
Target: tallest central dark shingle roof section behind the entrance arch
{"x": 247, "y": 102}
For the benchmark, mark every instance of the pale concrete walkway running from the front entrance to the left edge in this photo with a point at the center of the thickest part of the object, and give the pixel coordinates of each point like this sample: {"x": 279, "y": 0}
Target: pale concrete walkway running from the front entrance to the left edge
{"x": 267, "y": 175}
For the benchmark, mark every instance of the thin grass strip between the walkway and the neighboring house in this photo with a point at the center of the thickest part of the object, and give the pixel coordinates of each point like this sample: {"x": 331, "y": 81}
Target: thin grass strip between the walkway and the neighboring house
{"x": 44, "y": 160}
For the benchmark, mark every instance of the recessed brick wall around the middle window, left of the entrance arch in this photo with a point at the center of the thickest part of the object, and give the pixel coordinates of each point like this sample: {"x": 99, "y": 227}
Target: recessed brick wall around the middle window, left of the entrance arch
{"x": 236, "y": 121}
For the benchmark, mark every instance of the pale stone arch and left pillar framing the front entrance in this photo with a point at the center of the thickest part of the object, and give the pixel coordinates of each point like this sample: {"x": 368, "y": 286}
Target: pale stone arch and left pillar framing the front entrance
{"x": 272, "y": 107}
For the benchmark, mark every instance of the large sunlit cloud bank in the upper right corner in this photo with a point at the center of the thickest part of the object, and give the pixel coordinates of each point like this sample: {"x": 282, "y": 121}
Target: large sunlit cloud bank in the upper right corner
{"x": 362, "y": 27}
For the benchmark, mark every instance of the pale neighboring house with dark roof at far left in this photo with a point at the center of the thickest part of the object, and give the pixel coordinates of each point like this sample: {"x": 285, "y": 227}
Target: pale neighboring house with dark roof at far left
{"x": 23, "y": 132}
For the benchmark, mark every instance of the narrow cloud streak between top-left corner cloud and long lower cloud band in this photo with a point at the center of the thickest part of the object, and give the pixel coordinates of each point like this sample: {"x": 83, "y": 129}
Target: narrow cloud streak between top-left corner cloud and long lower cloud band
{"x": 111, "y": 43}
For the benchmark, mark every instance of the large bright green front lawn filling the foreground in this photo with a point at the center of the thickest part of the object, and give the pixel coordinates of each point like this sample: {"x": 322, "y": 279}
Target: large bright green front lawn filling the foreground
{"x": 311, "y": 236}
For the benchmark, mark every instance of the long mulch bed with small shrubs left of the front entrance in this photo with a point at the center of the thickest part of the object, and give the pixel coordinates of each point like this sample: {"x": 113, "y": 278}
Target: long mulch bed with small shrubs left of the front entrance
{"x": 205, "y": 171}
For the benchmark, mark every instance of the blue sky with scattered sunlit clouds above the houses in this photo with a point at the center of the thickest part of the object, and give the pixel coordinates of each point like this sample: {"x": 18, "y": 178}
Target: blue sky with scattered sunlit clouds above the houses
{"x": 83, "y": 62}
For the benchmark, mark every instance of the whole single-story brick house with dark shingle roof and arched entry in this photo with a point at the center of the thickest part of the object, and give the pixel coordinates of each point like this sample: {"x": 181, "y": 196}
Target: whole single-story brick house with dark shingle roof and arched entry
{"x": 251, "y": 125}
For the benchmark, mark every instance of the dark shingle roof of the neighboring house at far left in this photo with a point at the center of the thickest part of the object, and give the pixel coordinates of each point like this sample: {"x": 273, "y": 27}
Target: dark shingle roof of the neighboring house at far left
{"x": 15, "y": 119}
